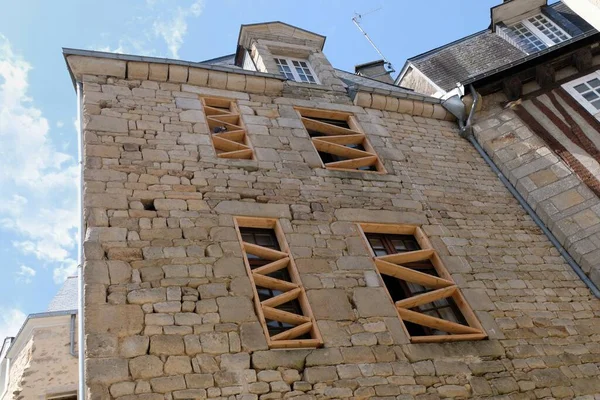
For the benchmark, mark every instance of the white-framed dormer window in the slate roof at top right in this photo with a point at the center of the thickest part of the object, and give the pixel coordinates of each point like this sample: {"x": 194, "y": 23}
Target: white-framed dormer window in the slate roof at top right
{"x": 537, "y": 33}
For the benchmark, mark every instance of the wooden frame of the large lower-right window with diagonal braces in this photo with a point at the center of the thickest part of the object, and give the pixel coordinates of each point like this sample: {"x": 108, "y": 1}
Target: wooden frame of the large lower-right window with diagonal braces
{"x": 447, "y": 286}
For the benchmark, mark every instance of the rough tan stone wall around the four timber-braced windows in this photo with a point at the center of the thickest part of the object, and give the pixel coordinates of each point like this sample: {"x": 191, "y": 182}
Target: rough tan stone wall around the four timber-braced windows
{"x": 168, "y": 304}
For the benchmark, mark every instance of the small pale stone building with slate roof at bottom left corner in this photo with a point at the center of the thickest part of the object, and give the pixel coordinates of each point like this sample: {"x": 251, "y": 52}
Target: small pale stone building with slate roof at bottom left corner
{"x": 41, "y": 361}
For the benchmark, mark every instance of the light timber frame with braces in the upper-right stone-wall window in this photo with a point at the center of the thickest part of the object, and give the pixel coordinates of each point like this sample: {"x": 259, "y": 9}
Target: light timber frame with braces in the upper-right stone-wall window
{"x": 355, "y": 131}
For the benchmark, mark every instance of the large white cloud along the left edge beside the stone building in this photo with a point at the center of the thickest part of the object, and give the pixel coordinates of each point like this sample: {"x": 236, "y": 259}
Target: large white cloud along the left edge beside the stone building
{"x": 39, "y": 181}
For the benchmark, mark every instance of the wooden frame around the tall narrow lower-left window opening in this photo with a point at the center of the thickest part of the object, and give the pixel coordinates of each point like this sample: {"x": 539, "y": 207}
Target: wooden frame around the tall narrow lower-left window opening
{"x": 292, "y": 290}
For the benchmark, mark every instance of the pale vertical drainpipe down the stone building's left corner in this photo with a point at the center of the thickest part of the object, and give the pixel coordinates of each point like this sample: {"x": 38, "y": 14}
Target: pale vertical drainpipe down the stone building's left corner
{"x": 80, "y": 325}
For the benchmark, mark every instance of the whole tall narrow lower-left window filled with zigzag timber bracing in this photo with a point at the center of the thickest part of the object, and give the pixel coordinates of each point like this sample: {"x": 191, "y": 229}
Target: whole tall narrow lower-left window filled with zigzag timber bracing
{"x": 279, "y": 296}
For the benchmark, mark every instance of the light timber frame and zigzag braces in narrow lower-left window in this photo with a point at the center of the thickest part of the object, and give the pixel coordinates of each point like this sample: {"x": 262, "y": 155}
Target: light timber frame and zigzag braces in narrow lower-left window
{"x": 291, "y": 290}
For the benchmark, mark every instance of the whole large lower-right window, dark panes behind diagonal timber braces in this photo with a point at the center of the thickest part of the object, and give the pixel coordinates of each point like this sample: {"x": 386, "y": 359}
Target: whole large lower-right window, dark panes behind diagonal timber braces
{"x": 427, "y": 300}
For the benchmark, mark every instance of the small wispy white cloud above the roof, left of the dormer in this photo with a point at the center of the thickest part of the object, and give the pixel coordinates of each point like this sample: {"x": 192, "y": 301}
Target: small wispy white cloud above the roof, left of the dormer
{"x": 174, "y": 29}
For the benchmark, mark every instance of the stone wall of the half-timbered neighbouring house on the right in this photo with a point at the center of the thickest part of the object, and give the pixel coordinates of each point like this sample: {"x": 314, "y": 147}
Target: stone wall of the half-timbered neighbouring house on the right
{"x": 566, "y": 204}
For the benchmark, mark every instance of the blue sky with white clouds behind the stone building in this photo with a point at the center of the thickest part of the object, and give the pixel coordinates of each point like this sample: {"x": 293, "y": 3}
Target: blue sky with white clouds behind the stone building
{"x": 38, "y": 142}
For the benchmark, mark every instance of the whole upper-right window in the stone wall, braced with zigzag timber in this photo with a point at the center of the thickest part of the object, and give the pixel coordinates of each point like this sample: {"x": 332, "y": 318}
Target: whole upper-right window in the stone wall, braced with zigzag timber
{"x": 339, "y": 140}
